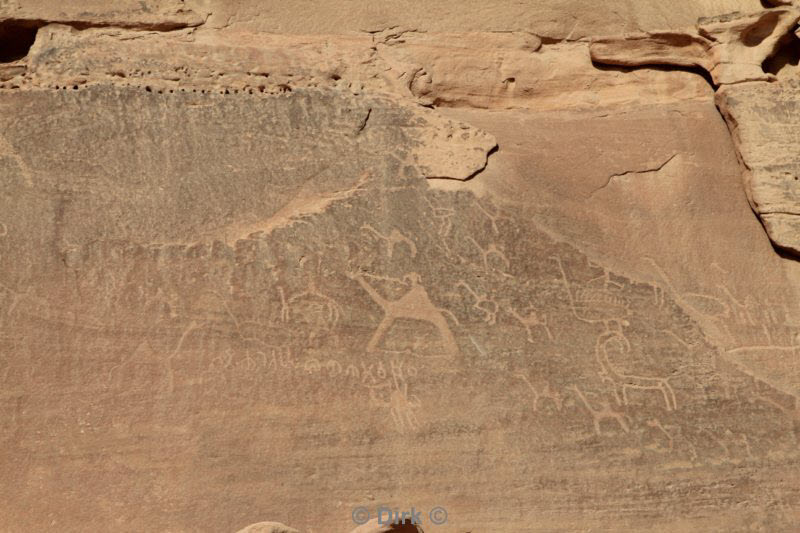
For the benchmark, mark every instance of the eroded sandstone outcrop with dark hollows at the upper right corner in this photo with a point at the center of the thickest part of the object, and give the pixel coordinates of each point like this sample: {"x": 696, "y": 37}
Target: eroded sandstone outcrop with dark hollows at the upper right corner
{"x": 736, "y": 49}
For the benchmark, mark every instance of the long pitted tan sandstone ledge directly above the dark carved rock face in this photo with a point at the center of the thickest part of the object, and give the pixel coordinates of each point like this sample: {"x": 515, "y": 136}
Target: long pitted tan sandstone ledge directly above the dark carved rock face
{"x": 409, "y": 65}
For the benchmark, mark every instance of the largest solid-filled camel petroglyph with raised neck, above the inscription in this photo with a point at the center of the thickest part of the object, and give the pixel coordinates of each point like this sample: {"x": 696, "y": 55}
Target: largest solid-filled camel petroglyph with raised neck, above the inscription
{"x": 414, "y": 305}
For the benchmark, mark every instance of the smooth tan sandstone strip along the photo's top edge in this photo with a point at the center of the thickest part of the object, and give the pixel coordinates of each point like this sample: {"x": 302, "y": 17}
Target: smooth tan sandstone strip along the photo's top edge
{"x": 550, "y": 19}
